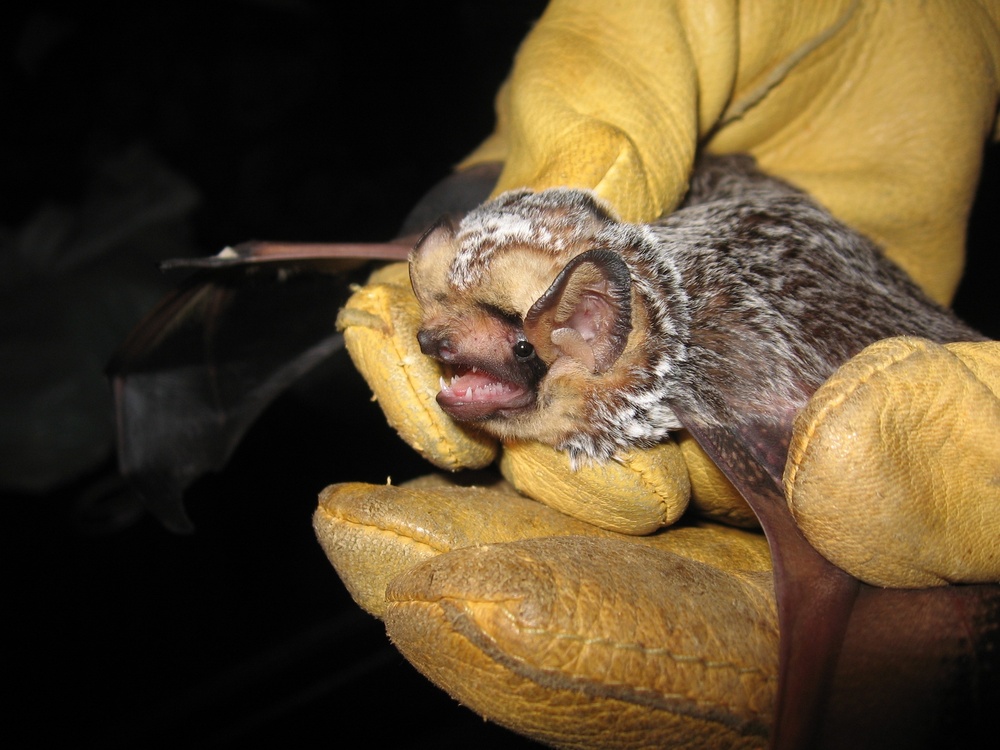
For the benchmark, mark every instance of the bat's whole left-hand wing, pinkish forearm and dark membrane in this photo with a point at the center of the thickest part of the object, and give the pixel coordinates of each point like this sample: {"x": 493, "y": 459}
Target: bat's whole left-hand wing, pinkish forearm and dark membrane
{"x": 198, "y": 370}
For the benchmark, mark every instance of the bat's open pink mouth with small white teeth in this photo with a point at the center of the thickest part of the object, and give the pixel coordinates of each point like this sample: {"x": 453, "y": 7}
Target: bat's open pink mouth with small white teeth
{"x": 470, "y": 393}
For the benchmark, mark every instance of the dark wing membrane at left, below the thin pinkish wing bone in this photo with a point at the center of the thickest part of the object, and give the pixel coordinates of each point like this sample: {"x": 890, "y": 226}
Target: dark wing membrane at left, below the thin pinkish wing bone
{"x": 204, "y": 364}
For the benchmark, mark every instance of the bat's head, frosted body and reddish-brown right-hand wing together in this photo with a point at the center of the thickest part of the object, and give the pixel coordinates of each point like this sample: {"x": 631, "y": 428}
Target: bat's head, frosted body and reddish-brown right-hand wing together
{"x": 555, "y": 322}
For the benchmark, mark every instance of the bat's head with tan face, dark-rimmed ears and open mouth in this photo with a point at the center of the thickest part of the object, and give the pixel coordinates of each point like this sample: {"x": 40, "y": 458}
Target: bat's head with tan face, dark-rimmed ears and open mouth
{"x": 530, "y": 306}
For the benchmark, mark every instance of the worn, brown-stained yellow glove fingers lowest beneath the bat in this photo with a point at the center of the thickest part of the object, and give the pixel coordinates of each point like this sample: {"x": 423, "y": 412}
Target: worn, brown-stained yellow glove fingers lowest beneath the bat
{"x": 558, "y": 629}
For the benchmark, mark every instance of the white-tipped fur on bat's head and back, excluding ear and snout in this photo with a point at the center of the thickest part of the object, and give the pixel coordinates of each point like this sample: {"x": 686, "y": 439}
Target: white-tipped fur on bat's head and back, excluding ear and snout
{"x": 742, "y": 302}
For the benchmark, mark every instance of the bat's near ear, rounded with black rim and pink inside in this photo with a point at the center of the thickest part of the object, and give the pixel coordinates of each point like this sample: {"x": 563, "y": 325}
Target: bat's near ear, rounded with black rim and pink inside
{"x": 586, "y": 313}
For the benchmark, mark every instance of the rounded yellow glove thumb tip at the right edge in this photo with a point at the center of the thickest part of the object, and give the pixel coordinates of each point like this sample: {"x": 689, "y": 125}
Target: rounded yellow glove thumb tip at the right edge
{"x": 894, "y": 467}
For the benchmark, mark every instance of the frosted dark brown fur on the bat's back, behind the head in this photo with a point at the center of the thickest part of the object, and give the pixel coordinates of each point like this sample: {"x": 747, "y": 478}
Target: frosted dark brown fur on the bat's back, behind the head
{"x": 780, "y": 293}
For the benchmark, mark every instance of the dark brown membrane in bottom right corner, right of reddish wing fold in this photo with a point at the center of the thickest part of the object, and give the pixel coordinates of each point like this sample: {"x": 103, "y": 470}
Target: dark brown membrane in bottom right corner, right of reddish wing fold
{"x": 918, "y": 668}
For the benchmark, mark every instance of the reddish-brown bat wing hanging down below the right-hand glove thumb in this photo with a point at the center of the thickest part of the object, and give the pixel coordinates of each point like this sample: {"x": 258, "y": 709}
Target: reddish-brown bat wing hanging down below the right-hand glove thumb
{"x": 862, "y": 666}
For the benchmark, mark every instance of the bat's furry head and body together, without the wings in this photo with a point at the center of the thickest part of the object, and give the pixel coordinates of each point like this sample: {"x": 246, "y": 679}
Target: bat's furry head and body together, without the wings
{"x": 556, "y": 322}
